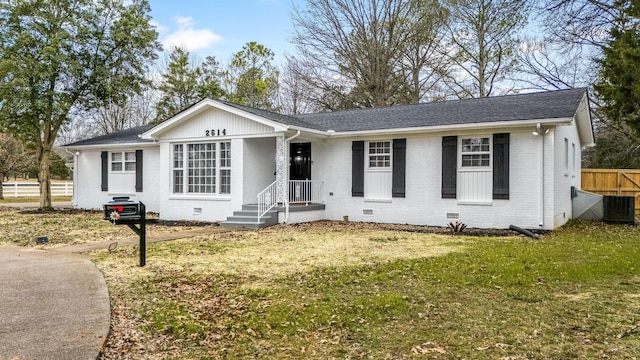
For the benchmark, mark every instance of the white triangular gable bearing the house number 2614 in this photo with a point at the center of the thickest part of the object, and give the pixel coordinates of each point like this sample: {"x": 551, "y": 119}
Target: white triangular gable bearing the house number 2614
{"x": 215, "y": 122}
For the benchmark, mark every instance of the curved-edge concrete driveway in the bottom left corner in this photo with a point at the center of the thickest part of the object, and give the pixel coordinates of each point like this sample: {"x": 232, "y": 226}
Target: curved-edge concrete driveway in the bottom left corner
{"x": 53, "y": 305}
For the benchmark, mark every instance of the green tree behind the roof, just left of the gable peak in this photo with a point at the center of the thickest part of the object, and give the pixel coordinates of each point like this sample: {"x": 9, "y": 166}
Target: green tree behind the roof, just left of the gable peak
{"x": 185, "y": 82}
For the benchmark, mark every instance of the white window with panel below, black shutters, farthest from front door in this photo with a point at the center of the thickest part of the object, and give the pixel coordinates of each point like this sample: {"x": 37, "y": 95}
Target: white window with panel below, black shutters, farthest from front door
{"x": 475, "y": 178}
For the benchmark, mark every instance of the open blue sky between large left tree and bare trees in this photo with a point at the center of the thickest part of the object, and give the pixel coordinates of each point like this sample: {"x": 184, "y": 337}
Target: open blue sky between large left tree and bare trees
{"x": 221, "y": 27}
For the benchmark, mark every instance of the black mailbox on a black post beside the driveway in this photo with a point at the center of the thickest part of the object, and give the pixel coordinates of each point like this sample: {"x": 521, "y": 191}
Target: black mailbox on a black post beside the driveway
{"x": 121, "y": 210}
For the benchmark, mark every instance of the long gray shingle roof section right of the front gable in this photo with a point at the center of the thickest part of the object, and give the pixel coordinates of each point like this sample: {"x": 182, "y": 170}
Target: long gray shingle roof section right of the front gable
{"x": 531, "y": 106}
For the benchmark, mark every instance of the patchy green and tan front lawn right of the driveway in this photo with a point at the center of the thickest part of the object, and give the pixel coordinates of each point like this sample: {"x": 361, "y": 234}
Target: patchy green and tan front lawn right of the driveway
{"x": 573, "y": 294}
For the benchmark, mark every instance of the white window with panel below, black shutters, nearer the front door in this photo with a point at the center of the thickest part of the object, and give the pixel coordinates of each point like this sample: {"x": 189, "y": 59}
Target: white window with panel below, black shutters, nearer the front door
{"x": 378, "y": 176}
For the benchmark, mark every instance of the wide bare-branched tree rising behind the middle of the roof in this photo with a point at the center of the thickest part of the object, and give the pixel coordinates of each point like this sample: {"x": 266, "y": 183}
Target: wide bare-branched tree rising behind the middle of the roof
{"x": 368, "y": 53}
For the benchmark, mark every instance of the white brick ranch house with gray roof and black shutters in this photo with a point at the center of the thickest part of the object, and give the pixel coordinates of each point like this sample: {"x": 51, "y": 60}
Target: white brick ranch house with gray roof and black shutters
{"x": 488, "y": 162}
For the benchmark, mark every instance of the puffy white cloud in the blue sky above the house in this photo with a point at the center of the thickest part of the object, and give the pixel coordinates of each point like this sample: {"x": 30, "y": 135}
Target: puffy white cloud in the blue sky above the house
{"x": 187, "y": 36}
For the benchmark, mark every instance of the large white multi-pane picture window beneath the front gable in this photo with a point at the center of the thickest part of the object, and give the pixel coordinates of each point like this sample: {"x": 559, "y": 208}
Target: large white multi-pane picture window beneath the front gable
{"x": 190, "y": 171}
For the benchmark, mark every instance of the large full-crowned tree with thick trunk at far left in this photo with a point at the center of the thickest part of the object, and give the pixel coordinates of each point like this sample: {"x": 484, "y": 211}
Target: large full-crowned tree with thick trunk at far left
{"x": 58, "y": 57}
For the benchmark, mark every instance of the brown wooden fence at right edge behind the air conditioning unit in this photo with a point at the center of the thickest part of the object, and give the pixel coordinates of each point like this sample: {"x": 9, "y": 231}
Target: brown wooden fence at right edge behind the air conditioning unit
{"x": 613, "y": 182}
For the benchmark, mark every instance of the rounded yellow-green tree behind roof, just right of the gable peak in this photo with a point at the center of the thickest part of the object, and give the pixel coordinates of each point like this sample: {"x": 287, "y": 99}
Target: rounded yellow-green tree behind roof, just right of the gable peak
{"x": 251, "y": 78}
